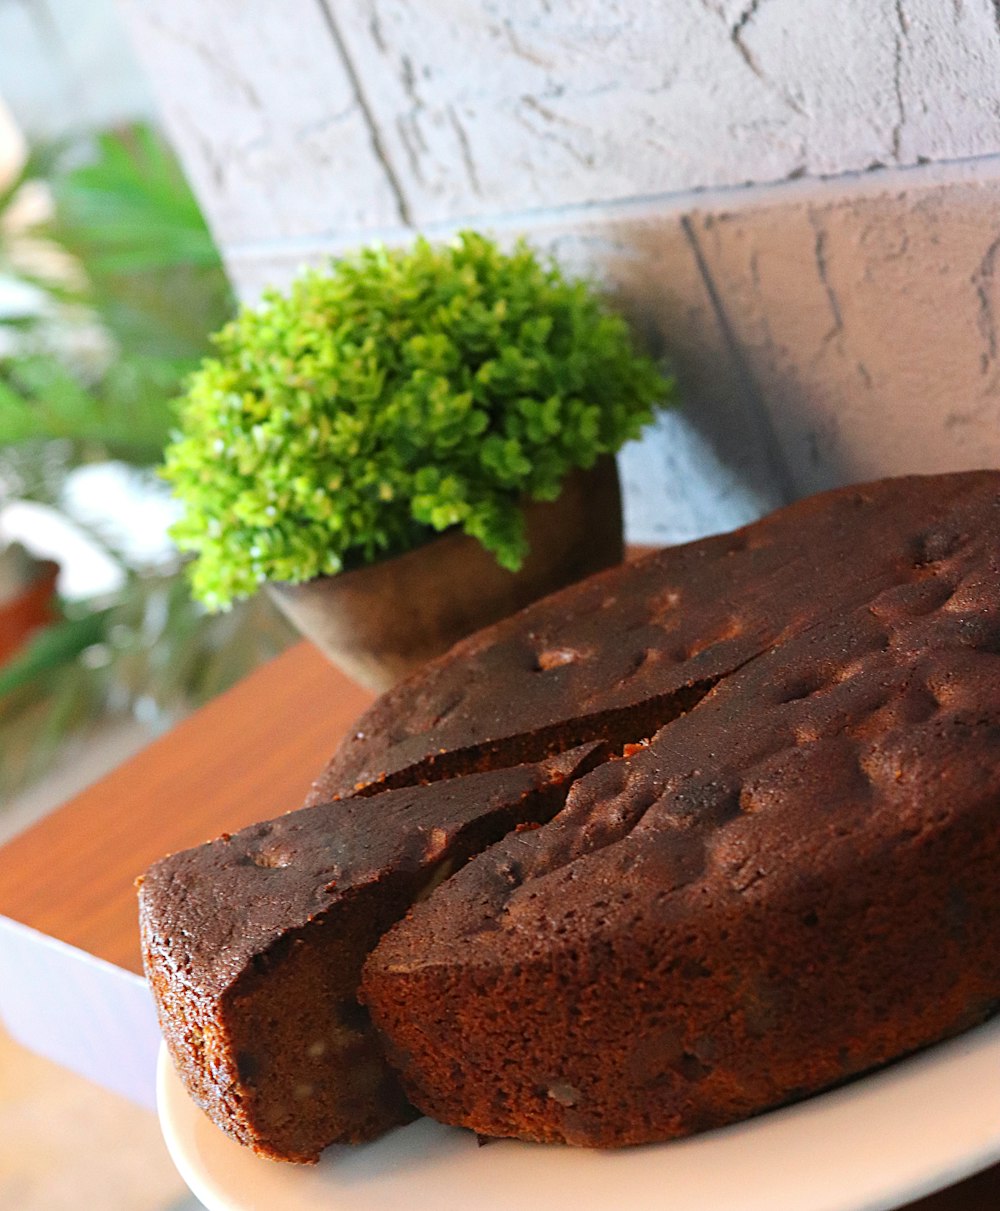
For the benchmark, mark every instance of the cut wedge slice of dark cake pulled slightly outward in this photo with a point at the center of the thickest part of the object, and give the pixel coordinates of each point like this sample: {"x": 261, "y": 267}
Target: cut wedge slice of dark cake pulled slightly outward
{"x": 254, "y": 948}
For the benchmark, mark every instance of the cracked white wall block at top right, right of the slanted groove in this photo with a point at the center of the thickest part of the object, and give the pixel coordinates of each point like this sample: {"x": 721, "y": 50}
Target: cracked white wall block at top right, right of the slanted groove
{"x": 510, "y": 105}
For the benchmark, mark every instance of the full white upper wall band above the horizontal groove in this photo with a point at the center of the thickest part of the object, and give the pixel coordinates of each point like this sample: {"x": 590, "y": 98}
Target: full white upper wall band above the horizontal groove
{"x": 382, "y": 112}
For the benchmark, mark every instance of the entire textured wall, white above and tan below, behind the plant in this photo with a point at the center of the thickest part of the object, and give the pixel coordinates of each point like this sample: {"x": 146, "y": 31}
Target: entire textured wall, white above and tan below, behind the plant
{"x": 765, "y": 183}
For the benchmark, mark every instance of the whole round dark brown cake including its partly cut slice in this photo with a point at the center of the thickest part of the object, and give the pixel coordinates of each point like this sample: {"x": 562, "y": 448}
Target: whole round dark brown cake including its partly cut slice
{"x": 778, "y": 870}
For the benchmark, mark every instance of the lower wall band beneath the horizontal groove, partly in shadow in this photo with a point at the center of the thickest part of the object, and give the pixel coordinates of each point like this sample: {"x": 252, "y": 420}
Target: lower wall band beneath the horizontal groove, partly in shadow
{"x": 820, "y": 335}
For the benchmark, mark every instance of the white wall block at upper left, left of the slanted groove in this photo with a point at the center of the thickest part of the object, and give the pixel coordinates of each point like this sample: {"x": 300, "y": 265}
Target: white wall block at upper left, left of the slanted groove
{"x": 260, "y": 105}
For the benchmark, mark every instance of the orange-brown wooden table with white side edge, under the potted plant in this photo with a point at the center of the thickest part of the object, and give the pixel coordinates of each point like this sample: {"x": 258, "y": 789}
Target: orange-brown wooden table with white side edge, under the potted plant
{"x": 71, "y": 974}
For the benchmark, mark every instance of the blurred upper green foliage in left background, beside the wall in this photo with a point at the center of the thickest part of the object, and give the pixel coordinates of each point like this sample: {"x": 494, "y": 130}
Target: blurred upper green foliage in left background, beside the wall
{"x": 127, "y": 260}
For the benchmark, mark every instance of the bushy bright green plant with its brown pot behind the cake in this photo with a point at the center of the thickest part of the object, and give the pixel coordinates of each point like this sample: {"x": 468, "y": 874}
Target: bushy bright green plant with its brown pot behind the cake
{"x": 407, "y": 446}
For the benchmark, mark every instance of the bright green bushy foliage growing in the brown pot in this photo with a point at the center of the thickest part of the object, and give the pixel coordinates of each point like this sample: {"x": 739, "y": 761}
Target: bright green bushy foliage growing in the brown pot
{"x": 395, "y": 395}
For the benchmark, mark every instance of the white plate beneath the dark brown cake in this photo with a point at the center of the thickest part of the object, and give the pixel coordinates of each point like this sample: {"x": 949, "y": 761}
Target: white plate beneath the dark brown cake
{"x": 911, "y": 1129}
